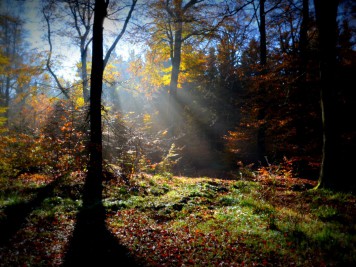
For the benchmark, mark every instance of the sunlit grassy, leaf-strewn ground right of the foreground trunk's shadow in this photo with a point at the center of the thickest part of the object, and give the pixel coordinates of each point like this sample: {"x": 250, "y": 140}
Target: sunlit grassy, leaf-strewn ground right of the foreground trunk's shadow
{"x": 271, "y": 221}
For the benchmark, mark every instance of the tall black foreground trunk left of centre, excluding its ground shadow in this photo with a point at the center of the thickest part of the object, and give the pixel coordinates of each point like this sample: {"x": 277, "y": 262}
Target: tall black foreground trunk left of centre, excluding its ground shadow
{"x": 95, "y": 168}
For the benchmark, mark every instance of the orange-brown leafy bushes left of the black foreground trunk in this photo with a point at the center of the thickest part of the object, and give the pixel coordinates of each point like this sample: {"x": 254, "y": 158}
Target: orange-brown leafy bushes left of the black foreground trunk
{"x": 58, "y": 146}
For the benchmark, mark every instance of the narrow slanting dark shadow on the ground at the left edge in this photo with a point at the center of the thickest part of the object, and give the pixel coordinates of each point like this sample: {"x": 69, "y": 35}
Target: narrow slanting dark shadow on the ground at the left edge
{"x": 16, "y": 214}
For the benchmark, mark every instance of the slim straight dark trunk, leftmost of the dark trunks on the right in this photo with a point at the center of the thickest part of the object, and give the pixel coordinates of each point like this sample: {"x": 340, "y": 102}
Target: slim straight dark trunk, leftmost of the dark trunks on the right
{"x": 261, "y": 133}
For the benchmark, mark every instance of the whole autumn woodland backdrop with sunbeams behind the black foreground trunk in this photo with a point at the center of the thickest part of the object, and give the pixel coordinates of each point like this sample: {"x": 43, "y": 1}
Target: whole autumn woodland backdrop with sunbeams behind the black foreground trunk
{"x": 214, "y": 86}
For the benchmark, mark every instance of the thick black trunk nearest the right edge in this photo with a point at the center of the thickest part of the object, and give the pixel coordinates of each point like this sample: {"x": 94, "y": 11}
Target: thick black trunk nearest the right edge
{"x": 327, "y": 26}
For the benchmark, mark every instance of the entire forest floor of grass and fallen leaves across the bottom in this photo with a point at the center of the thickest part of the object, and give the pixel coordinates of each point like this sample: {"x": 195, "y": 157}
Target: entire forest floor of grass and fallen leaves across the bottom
{"x": 261, "y": 220}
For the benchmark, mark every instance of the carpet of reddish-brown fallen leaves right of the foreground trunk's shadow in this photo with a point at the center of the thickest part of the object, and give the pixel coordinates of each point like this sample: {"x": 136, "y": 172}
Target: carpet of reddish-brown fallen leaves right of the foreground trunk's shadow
{"x": 162, "y": 244}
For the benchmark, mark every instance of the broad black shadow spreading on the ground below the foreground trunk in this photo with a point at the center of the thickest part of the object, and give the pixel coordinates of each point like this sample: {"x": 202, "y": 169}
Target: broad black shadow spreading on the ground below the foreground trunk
{"x": 92, "y": 244}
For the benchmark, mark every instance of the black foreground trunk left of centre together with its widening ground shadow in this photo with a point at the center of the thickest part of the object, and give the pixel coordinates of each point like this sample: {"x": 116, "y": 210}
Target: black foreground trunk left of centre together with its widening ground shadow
{"x": 92, "y": 244}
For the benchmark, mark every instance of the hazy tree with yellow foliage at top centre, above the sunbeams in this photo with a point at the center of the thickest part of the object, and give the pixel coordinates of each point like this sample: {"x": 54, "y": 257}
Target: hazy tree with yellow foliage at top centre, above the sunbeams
{"x": 175, "y": 23}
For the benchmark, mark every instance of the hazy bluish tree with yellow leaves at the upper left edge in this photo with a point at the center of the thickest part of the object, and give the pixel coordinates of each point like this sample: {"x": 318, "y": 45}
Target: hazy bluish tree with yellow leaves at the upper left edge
{"x": 18, "y": 68}
